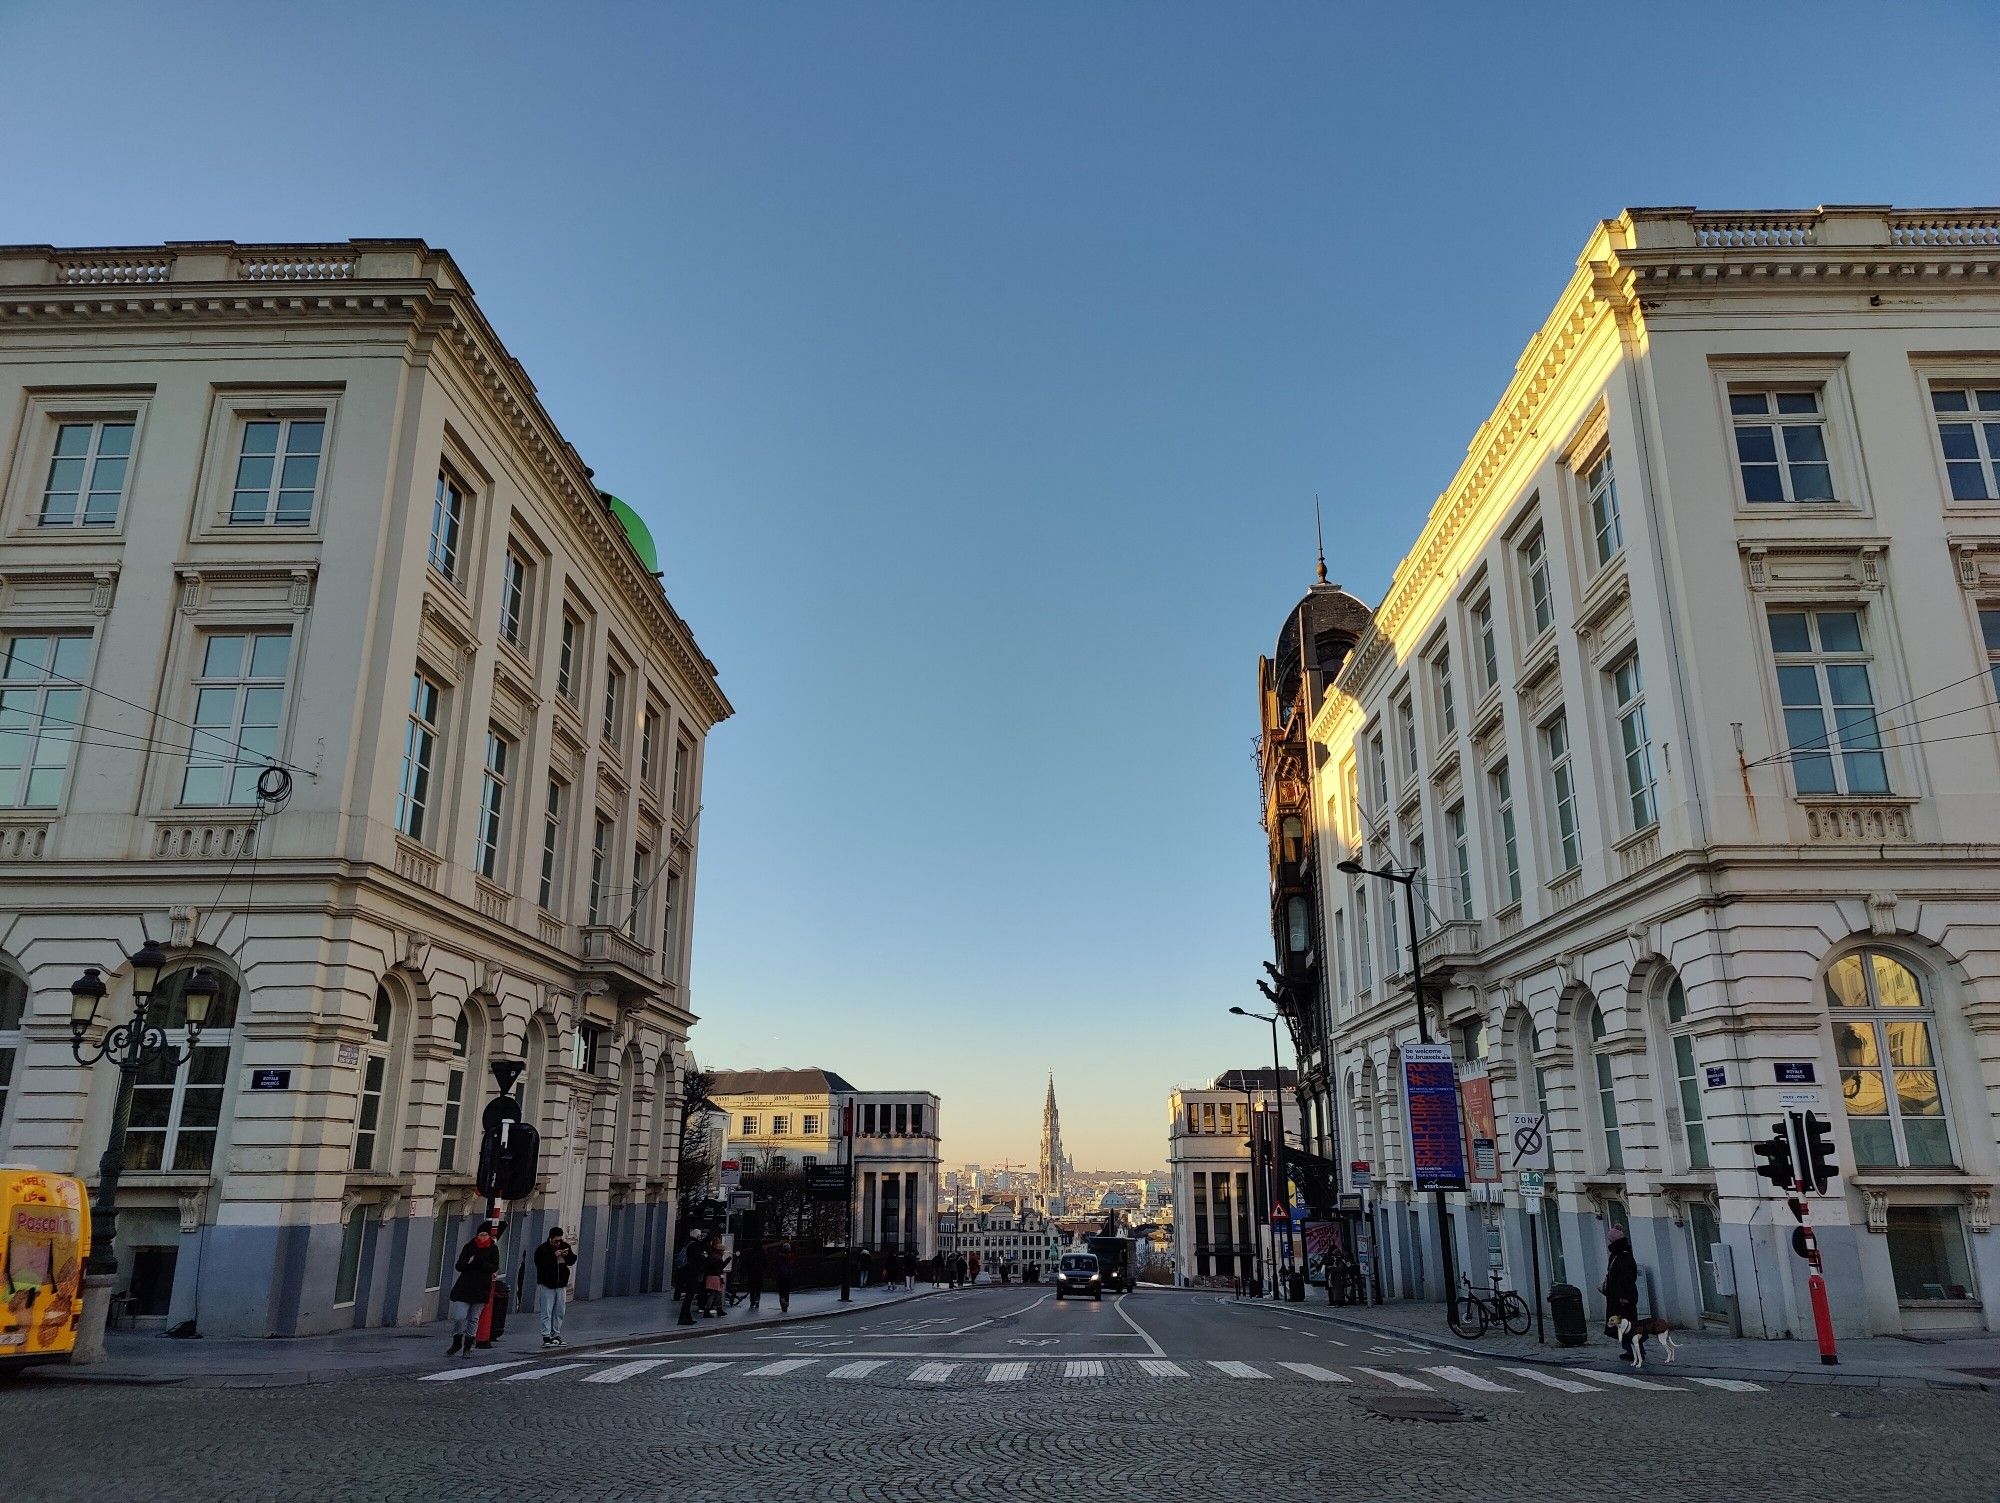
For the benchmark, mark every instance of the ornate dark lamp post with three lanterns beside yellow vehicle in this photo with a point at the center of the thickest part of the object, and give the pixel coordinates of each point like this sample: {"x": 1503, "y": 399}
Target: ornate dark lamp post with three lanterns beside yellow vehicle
{"x": 131, "y": 1046}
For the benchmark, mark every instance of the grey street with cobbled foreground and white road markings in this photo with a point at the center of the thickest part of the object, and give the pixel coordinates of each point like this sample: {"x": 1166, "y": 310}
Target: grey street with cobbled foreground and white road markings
{"x": 1005, "y": 1394}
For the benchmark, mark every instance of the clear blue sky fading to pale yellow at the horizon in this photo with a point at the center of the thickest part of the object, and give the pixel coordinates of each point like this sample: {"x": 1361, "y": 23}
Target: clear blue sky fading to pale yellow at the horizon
{"x": 977, "y": 367}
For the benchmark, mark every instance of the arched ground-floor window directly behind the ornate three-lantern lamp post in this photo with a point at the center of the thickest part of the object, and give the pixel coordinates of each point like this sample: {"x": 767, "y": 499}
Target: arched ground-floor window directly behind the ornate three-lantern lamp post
{"x": 177, "y": 1110}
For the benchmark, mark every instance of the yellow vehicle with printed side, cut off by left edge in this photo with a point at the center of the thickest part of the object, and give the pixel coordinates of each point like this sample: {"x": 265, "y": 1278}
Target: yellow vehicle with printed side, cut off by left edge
{"x": 45, "y": 1236}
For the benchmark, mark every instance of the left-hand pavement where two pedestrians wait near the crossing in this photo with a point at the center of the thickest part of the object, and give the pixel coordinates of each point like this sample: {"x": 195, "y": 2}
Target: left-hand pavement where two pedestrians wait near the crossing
{"x": 281, "y": 1362}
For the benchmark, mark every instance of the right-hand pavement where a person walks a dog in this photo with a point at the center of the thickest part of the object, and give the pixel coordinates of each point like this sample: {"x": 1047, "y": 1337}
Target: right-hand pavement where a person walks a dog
{"x": 1943, "y": 1360}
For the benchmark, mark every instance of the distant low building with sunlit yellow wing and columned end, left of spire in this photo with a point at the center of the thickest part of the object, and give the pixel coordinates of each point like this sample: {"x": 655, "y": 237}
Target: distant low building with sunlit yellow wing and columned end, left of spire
{"x": 795, "y": 1118}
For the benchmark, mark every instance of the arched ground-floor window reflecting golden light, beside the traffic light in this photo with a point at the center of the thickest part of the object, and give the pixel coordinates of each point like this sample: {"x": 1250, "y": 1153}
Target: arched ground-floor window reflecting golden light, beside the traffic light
{"x": 1883, "y": 1032}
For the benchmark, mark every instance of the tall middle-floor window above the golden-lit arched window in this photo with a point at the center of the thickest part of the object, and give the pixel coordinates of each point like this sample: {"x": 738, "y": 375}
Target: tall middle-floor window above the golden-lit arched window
{"x": 1829, "y": 703}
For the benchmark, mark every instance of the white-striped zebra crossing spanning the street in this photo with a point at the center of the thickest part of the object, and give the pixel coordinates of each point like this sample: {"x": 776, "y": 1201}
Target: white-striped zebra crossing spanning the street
{"x": 937, "y": 1372}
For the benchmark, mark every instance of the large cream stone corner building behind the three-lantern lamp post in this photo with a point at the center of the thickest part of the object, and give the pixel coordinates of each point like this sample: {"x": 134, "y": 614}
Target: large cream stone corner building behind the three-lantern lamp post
{"x": 299, "y": 509}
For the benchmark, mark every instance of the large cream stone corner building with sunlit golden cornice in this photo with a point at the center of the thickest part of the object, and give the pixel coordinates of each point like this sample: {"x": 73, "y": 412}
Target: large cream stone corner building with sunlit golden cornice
{"x": 1683, "y": 707}
